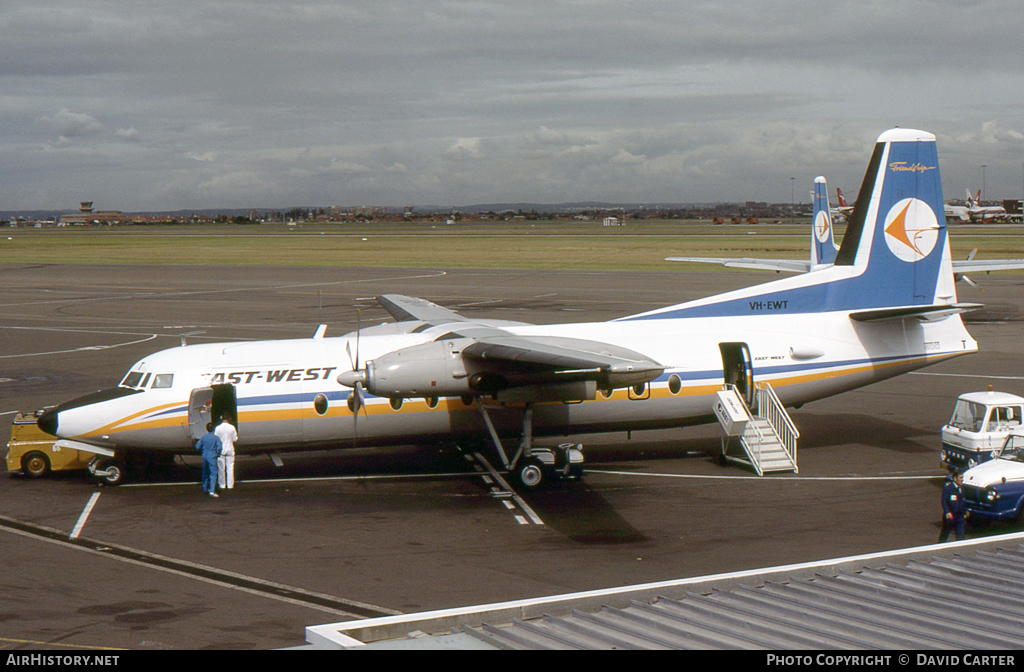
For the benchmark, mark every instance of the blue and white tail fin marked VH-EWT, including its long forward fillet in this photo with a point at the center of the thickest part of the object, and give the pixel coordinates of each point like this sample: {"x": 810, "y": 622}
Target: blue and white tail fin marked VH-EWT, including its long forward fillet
{"x": 894, "y": 261}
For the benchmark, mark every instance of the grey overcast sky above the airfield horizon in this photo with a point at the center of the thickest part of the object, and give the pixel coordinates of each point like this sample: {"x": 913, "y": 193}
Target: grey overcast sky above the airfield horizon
{"x": 162, "y": 105}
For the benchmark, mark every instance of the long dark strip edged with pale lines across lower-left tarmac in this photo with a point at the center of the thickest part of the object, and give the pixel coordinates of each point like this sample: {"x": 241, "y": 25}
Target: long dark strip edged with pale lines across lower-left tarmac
{"x": 223, "y": 578}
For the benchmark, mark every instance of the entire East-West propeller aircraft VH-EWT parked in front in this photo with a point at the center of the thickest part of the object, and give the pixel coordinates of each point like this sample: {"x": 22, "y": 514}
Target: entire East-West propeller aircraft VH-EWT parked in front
{"x": 886, "y": 306}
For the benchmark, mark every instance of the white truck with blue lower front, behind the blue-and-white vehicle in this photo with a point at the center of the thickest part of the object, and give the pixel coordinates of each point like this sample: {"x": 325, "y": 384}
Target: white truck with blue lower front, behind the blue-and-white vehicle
{"x": 979, "y": 427}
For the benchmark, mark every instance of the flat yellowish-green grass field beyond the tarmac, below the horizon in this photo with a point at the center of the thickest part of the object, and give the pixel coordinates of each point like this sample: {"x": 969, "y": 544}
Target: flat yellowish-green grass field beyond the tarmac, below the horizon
{"x": 641, "y": 245}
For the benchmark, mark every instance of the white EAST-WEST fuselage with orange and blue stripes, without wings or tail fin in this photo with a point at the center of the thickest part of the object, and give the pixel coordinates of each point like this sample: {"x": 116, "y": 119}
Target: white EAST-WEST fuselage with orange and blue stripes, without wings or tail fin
{"x": 277, "y": 384}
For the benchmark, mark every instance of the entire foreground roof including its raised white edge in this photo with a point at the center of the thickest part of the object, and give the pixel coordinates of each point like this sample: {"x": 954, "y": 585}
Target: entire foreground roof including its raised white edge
{"x": 959, "y": 596}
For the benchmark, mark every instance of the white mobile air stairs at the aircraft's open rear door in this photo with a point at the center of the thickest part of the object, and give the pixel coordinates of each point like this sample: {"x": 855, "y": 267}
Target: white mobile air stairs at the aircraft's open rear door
{"x": 767, "y": 439}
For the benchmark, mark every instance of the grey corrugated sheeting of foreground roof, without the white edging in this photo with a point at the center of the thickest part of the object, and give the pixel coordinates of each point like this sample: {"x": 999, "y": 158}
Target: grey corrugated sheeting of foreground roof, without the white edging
{"x": 974, "y": 601}
